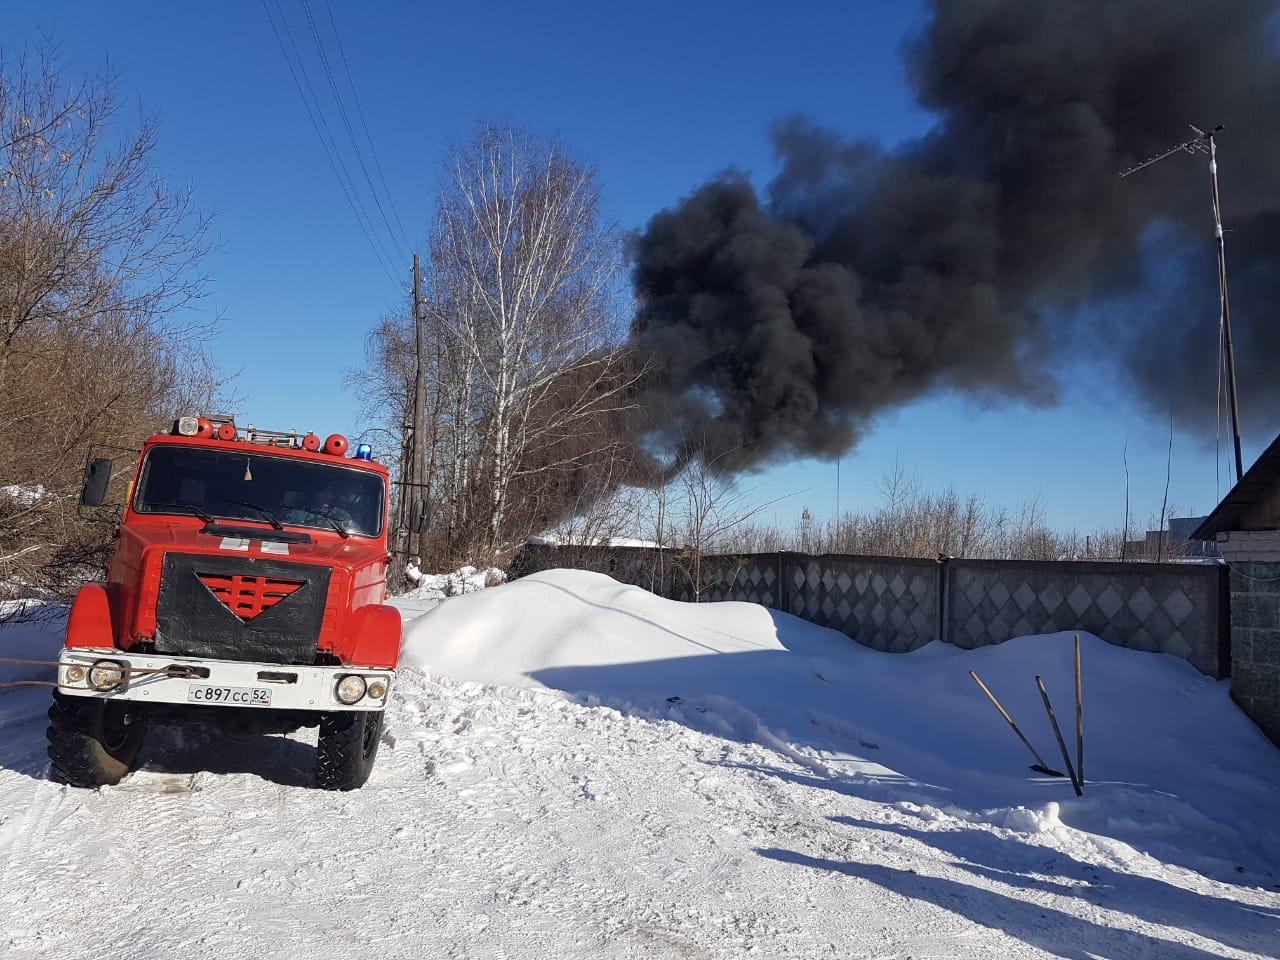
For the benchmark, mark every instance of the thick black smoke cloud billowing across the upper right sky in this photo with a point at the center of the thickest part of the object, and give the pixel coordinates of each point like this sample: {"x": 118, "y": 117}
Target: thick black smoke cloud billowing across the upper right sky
{"x": 984, "y": 255}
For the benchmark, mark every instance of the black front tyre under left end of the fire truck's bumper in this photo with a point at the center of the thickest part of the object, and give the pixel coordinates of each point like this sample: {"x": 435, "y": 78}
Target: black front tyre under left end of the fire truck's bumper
{"x": 92, "y": 743}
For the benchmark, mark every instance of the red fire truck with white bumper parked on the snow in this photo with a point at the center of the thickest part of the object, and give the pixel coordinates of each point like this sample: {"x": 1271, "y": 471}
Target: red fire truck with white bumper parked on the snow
{"x": 246, "y": 591}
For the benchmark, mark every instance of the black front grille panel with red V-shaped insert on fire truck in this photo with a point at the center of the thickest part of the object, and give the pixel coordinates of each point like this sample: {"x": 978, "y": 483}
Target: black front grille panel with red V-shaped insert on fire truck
{"x": 240, "y": 609}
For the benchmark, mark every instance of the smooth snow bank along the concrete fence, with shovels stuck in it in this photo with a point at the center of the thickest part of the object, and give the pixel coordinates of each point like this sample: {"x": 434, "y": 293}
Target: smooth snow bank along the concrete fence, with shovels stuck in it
{"x": 1174, "y": 769}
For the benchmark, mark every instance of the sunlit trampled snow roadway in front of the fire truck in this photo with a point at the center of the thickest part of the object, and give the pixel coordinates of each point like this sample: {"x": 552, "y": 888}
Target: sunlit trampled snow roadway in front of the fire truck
{"x": 509, "y": 824}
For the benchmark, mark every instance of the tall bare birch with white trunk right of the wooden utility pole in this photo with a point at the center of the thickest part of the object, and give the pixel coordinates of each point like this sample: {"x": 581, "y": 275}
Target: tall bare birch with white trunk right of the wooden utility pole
{"x": 522, "y": 276}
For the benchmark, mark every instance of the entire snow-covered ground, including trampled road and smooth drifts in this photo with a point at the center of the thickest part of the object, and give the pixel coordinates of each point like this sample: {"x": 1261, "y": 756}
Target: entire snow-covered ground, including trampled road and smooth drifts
{"x": 575, "y": 769}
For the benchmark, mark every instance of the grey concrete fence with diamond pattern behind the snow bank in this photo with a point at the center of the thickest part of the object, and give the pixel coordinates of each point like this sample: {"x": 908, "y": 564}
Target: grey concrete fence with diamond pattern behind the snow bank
{"x": 899, "y": 605}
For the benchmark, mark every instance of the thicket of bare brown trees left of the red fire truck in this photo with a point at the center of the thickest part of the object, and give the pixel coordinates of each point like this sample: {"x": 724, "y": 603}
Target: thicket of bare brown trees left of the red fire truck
{"x": 97, "y": 255}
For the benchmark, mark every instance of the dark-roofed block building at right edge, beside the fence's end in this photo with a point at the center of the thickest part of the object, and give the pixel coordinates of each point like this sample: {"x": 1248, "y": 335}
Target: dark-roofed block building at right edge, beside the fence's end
{"x": 1247, "y": 528}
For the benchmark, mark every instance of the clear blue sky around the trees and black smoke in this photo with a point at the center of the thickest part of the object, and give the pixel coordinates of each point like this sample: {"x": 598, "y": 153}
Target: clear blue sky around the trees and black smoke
{"x": 657, "y": 95}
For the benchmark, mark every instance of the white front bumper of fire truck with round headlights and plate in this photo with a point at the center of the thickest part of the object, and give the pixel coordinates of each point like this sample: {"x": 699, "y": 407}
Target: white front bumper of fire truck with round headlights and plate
{"x": 120, "y": 675}
